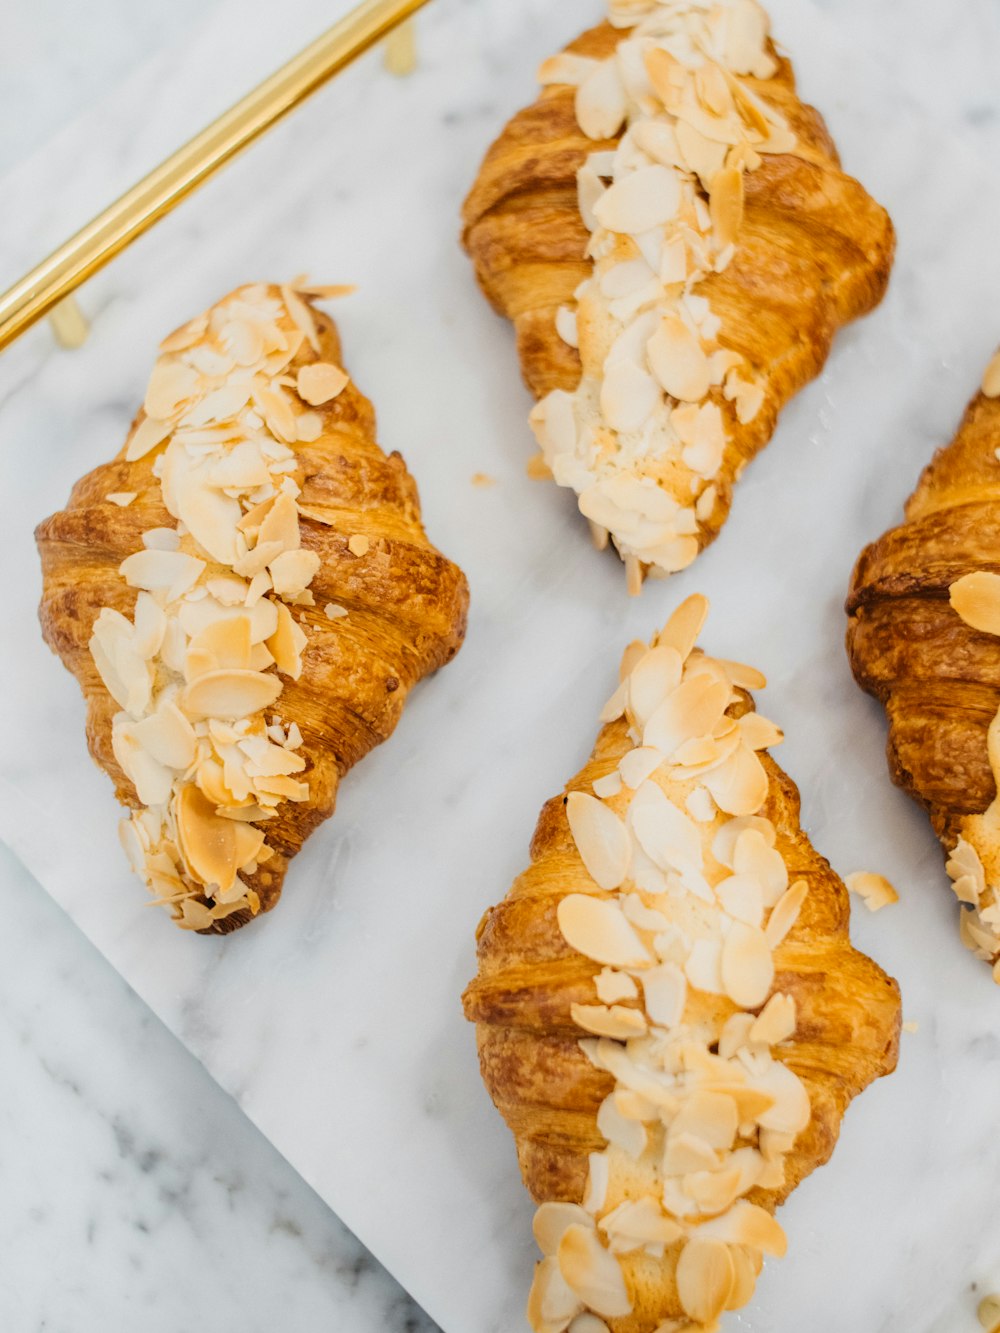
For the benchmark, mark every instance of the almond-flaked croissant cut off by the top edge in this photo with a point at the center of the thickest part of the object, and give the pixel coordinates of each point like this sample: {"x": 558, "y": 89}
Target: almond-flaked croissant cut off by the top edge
{"x": 673, "y": 237}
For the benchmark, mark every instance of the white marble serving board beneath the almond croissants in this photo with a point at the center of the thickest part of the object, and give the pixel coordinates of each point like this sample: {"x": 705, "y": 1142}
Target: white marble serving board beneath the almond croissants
{"x": 337, "y": 1022}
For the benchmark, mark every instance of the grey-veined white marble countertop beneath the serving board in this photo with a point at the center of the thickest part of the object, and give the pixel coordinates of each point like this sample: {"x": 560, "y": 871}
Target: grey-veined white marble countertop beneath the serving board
{"x": 134, "y": 1194}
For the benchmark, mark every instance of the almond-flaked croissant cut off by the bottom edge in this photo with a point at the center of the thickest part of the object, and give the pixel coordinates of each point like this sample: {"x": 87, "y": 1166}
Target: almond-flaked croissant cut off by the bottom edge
{"x": 670, "y": 1014}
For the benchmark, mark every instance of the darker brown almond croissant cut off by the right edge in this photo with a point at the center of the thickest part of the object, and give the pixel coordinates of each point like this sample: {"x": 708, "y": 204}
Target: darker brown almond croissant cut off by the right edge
{"x": 925, "y": 619}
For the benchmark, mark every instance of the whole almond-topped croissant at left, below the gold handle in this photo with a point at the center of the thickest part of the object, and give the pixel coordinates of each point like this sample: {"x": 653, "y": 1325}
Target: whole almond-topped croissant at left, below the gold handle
{"x": 246, "y": 597}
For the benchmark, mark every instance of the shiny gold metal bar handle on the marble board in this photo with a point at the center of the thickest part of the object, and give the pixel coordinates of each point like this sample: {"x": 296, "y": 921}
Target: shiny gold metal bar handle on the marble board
{"x": 137, "y": 211}
